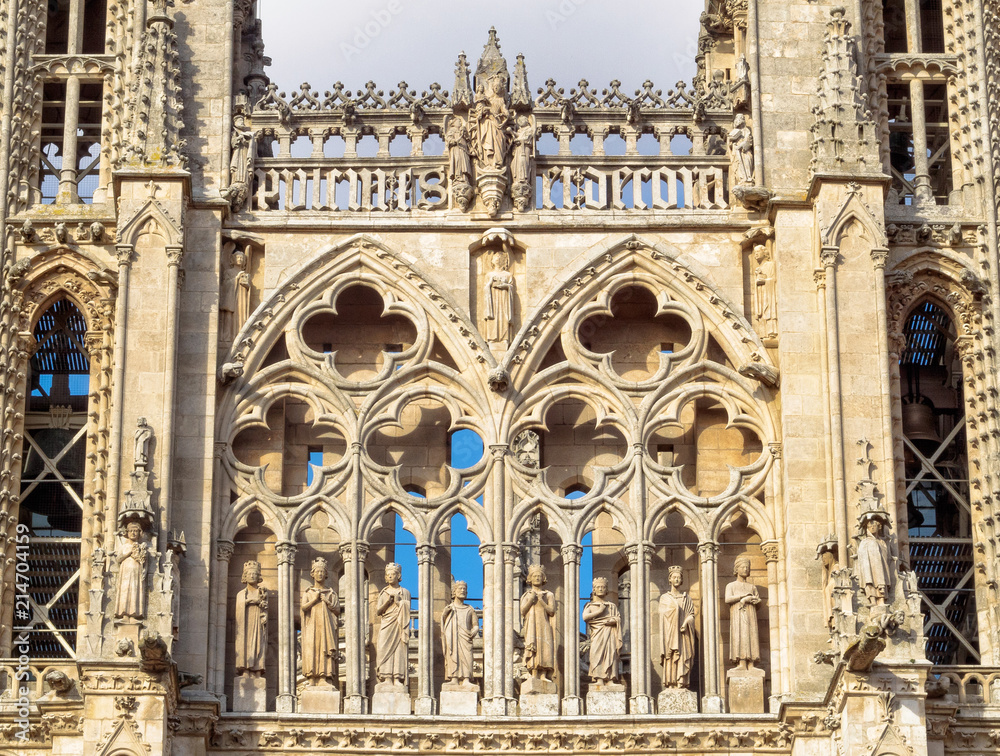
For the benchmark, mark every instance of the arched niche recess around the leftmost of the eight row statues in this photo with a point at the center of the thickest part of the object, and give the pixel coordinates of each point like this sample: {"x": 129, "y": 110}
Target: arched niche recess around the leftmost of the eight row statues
{"x": 254, "y": 542}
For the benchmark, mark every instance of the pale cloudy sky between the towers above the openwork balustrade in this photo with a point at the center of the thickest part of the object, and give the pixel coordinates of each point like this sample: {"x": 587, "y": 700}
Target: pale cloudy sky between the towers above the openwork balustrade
{"x": 386, "y": 41}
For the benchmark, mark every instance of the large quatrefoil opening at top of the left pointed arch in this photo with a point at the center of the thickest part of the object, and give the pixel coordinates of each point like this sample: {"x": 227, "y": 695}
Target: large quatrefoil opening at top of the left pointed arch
{"x": 360, "y": 339}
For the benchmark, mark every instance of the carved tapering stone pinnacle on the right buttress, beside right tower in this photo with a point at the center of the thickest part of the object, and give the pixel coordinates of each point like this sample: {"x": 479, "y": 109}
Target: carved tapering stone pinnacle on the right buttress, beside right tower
{"x": 843, "y": 137}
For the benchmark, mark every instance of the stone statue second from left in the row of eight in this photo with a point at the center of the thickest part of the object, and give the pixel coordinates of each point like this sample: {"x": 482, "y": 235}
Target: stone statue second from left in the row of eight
{"x": 319, "y": 608}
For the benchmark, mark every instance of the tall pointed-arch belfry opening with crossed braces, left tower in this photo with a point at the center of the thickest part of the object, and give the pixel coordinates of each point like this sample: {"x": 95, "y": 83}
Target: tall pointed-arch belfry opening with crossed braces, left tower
{"x": 52, "y": 478}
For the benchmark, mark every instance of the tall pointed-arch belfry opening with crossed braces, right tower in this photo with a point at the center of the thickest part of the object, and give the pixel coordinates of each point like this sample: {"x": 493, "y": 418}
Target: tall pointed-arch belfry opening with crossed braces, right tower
{"x": 939, "y": 511}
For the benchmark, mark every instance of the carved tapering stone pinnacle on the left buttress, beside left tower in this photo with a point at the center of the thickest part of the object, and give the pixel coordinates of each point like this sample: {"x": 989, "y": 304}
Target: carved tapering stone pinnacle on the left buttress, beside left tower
{"x": 153, "y": 112}
